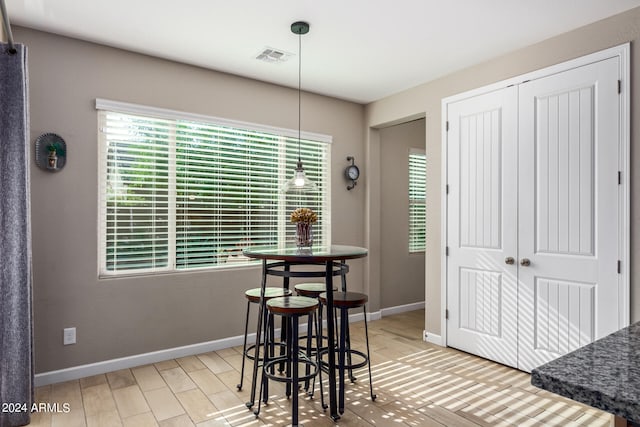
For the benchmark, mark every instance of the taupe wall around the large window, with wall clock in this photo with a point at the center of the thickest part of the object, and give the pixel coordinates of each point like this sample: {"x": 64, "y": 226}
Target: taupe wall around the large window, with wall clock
{"x": 127, "y": 316}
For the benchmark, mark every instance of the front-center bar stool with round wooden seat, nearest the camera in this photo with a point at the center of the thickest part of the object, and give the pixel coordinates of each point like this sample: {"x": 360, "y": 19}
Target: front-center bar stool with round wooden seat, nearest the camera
{"x": 291, "y": 308}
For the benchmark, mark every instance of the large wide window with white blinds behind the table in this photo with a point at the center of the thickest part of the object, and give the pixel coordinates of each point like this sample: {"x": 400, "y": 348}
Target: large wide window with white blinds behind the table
{"x": 181, "y": 191}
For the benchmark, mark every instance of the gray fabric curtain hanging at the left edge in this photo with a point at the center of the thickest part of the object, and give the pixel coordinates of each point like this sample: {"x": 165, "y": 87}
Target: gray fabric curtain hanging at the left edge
{"x": 16, "y": 336}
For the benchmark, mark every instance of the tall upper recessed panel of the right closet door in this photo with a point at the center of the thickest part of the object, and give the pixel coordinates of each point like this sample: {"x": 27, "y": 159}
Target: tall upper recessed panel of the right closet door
{"x": 564, "y": 182}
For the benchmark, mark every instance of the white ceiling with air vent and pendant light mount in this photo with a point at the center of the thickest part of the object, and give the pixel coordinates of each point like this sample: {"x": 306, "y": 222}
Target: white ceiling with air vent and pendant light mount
{"x": 358, "y": 50}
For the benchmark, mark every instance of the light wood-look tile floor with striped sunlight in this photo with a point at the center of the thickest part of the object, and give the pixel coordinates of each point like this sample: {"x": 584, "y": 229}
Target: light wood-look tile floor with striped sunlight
{"x": 417, "y": 384}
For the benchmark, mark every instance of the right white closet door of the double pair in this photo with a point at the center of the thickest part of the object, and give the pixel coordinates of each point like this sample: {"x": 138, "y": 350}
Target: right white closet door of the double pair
{"x": 567, "y": 173}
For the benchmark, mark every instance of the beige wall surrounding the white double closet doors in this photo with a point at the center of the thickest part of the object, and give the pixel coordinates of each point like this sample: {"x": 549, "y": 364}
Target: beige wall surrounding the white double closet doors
{"x": 426, "y": 100}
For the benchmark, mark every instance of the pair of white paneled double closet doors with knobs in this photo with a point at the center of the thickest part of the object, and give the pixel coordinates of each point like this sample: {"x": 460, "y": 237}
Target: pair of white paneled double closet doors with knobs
{"x": 532, "y": 216}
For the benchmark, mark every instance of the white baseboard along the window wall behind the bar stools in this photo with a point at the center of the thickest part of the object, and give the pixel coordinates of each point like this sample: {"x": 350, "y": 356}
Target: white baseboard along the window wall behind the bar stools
{"x": 82, "y": 371}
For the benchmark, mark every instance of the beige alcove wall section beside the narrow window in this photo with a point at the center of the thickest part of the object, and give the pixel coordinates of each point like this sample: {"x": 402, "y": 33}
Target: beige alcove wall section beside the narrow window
{"x": 401, "y": 273}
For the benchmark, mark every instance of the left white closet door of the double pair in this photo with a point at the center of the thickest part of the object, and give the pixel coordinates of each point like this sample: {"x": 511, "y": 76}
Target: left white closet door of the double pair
{"x": 482, "y": 230}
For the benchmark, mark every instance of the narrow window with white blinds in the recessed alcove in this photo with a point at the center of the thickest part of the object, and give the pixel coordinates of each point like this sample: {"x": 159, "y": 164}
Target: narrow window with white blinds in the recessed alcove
{"x": 417, "y": 196}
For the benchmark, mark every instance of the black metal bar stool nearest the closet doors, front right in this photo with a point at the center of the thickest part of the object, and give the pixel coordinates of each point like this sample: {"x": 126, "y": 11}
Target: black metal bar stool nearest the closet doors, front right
{"x": 343, "y": 302}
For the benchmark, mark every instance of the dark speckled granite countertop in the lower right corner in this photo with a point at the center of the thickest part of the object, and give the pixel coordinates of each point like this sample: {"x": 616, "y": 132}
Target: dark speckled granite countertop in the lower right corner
{"x": 604, "y": 374}
